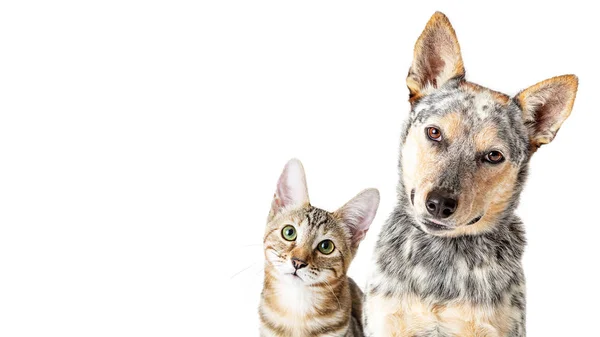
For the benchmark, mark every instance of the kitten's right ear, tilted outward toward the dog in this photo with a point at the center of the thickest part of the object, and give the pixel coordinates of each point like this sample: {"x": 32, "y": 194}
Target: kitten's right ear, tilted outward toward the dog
{"x": 359, "y": 212}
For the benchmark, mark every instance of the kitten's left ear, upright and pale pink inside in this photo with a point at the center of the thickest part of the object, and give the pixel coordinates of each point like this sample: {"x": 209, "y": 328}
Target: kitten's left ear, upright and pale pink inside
{"x": 291, "y": 189}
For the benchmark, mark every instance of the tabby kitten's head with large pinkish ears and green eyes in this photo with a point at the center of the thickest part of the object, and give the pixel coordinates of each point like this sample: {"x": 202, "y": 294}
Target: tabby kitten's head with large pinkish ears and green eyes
{"x": 308, "y": 245}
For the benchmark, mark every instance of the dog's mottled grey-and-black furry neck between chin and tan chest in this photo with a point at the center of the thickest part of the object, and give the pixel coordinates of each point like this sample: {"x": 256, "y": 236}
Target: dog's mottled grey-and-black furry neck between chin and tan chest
{"x": 475, "y": 268}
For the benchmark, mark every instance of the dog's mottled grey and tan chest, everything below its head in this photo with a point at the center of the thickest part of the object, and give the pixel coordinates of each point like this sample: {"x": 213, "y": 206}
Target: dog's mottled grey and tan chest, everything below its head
{"x": 434, "y": 287}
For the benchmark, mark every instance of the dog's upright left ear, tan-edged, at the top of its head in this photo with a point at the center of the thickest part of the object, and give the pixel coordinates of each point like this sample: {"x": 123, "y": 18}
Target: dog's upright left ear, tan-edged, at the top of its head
{"x": 437, "y": 58}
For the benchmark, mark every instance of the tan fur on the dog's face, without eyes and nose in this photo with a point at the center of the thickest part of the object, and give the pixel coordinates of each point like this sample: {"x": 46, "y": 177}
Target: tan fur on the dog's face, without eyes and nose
{"x": 485, "y": 189}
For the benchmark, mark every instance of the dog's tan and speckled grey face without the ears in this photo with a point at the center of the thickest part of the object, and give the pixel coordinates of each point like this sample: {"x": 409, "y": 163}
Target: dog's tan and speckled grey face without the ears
{"x": 461, "y": 157}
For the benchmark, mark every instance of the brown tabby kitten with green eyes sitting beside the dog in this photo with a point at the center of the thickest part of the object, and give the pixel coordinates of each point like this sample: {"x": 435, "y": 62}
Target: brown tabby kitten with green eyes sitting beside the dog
{"x": 307, "y": 253}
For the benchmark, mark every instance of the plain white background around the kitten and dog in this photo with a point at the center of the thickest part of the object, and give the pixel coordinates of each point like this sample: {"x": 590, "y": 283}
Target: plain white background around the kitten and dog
{"x": 140, "y": 144}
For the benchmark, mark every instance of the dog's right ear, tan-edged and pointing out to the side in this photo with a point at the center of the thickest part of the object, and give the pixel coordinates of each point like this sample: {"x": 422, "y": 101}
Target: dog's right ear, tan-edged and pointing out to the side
{"x": 545, "y": 107}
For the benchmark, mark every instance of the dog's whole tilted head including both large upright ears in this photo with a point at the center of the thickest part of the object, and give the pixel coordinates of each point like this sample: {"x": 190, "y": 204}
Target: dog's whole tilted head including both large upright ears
{"x": 466, "y": 148}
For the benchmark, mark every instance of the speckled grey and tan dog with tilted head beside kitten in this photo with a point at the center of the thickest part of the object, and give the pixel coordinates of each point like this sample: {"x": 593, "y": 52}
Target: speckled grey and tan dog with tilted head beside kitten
{"x": 448, "y": 259}
